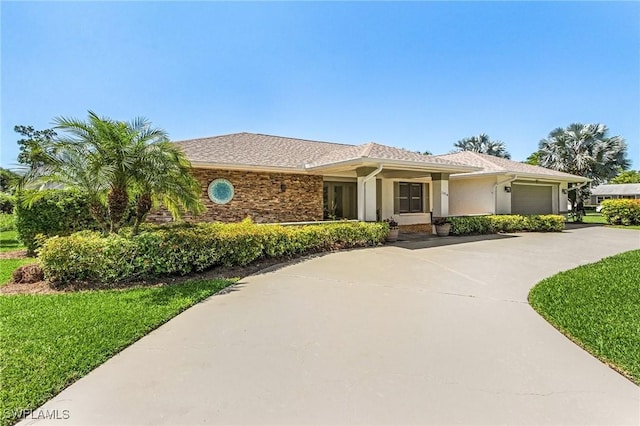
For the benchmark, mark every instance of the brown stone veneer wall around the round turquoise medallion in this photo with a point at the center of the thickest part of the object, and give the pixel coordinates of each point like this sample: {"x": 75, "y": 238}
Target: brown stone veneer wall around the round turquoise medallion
{"x": 260, "y": 196}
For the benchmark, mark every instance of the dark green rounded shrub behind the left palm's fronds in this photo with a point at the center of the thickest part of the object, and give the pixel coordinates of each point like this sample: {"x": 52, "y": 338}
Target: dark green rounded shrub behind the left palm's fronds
{"x": 54, "y": 212}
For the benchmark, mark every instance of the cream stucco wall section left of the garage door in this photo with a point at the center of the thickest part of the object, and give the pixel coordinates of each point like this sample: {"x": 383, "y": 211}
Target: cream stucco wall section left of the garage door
{"x": 471, "y": 196}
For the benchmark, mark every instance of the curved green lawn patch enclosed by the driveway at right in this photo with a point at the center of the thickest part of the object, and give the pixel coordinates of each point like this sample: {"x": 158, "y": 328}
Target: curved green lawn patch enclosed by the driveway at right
{"x": 598, "y": 307}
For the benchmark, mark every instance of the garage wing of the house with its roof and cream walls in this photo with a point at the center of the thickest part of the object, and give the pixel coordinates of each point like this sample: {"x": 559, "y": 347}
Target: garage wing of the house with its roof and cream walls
{"x": 507, "y": 187}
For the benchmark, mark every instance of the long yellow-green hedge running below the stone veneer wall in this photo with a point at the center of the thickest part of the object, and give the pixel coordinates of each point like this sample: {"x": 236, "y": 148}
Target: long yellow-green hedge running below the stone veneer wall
{"x": 182, "y": 249}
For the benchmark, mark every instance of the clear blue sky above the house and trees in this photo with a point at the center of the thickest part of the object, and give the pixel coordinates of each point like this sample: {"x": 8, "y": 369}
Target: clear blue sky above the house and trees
{"x": 417, "y": 75}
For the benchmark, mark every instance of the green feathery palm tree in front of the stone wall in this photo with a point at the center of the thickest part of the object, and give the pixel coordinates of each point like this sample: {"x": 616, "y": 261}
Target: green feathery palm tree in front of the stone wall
{"x": 113, "y": 162}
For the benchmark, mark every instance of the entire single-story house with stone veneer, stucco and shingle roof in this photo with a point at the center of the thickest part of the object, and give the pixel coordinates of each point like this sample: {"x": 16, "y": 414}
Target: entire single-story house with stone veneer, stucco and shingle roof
{"x": 281, "y": 179}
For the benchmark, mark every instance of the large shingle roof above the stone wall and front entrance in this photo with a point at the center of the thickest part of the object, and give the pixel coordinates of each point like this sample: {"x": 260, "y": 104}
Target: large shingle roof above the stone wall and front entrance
{"x": 258, "y": 150}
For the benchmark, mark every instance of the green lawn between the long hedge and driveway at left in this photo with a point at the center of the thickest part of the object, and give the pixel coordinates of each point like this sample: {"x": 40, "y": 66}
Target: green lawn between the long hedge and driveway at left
{"x": 49, "y": 341}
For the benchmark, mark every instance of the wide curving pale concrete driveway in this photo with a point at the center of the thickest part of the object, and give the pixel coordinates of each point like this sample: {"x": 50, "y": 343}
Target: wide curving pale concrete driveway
{"x": 407, "y": 334}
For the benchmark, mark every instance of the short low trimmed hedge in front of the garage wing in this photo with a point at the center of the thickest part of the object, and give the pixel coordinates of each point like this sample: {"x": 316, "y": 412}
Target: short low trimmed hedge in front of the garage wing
{"x": 492, "y": 224}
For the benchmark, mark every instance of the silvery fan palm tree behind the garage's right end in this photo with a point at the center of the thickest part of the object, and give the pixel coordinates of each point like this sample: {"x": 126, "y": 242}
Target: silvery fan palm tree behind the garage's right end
{"x": 584, "y": 150}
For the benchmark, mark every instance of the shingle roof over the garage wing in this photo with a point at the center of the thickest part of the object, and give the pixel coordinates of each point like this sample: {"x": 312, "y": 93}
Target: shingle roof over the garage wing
{"x": 495, "y": 165}
